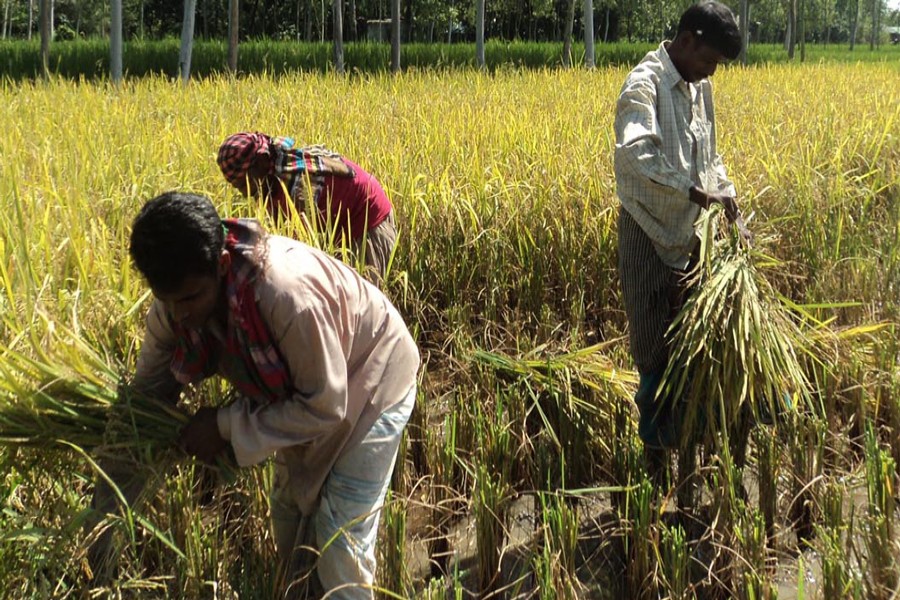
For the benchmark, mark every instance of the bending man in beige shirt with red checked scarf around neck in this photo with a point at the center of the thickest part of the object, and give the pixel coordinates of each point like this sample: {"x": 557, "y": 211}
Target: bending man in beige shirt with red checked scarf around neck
{"x": 323, "y": 363}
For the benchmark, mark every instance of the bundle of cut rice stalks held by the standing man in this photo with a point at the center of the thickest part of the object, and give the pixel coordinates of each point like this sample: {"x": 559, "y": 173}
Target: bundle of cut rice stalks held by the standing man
{"x": 734, "y": 345}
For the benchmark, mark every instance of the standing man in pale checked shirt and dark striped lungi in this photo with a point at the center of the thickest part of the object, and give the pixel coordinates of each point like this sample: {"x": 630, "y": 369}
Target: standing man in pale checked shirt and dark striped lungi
{"x": 667, "y": 172}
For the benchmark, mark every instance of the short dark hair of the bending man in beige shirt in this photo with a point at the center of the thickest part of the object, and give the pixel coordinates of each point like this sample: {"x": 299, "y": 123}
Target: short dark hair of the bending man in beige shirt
{"x": 176, "y": 236}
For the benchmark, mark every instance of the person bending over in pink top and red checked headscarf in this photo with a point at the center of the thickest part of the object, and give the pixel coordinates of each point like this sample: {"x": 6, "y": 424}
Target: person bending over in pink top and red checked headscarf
{"x": 350, "y": 202}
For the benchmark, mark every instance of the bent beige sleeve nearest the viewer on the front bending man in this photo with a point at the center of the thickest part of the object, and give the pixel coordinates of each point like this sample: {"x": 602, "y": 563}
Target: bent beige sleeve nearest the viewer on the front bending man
{"x": 310, "y": 345}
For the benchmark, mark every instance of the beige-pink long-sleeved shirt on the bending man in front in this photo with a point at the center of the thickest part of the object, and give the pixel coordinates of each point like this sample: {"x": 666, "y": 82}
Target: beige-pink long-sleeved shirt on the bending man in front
{"x": 347, "y": 349}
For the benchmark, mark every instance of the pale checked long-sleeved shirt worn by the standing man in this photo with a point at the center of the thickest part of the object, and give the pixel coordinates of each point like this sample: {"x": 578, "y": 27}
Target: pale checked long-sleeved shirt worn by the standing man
{"x": 666, "y": 144}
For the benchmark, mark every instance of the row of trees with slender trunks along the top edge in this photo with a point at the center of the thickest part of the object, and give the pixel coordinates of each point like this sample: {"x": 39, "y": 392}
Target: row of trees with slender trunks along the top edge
{"x": 792, "y": 22}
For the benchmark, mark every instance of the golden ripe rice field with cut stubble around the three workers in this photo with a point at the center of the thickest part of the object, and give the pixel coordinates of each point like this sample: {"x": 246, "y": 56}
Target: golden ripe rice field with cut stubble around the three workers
{"x": 522, "y": 474}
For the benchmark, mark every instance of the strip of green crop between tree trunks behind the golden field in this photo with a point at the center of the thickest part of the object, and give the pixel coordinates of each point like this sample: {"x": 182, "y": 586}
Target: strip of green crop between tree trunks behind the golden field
{"x": 90, "y": 58}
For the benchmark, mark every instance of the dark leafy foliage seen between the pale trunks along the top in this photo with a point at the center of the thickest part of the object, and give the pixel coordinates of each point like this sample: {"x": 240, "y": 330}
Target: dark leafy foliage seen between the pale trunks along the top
{"x": 825, "y": 21}
